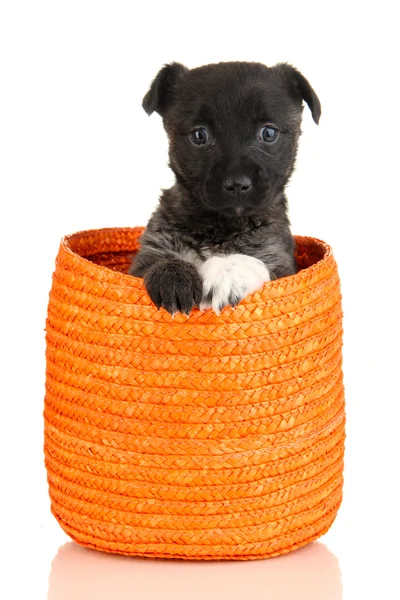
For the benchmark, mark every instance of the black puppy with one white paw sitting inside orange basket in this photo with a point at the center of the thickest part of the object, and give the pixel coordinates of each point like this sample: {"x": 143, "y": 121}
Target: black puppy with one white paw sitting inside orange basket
{"x": 222, "y": 229}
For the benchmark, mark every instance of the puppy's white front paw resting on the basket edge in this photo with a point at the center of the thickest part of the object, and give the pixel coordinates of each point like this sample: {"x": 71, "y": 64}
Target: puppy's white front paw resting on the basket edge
{"x": 229, "y": 279}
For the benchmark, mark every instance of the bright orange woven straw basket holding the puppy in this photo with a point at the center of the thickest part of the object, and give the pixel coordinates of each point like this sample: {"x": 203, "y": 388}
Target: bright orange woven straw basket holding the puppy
{"x": 201, "y": 438}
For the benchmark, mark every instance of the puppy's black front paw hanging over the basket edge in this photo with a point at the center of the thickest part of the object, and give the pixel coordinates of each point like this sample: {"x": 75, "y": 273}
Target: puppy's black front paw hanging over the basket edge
{"x": 175, "y": 285}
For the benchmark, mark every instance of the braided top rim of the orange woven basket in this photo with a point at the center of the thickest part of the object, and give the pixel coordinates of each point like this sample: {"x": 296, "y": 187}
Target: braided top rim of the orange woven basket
{"x": 129, "y": 281}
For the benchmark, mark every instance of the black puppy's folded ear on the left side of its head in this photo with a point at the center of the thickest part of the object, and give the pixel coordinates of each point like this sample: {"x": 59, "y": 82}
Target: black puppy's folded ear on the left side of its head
{"x": 161, "y": 91}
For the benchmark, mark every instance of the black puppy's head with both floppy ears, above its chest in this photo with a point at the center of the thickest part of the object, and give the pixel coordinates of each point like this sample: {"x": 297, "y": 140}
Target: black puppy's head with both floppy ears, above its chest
{"x": 233, "y": 130}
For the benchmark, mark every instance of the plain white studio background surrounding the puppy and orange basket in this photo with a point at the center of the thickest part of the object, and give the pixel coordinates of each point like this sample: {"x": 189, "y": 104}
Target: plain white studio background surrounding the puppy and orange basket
{"x": 77, "y": 152}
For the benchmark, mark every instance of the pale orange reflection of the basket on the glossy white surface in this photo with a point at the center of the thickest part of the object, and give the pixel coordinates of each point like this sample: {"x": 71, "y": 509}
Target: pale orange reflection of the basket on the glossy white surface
{"x": 311, "y": 573}
